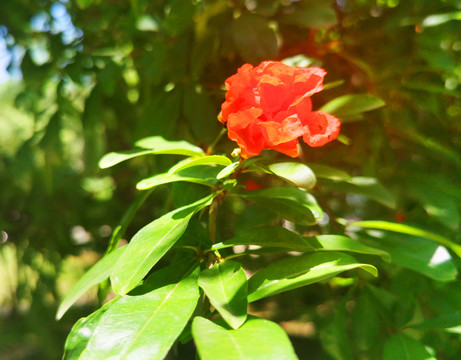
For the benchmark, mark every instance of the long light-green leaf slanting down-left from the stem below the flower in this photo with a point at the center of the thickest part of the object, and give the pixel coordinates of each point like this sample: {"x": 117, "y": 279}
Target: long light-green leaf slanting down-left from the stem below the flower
{"x": 150, "y": 243}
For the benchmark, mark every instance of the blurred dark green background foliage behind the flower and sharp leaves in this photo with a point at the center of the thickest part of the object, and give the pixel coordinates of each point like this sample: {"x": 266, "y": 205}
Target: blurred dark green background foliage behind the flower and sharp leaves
{"x": 93, "y": 76}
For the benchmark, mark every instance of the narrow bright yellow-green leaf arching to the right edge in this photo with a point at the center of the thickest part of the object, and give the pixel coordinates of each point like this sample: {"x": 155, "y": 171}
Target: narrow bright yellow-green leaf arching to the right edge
{"x": 409, "y": 230}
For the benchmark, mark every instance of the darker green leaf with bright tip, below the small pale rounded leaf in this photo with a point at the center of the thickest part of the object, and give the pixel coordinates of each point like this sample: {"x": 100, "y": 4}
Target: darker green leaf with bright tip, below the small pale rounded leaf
{"x": 293, "y": 204}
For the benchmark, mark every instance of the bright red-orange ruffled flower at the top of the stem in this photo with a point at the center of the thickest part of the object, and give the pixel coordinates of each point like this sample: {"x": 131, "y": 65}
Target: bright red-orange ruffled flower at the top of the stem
{"x": 269, "y": 107}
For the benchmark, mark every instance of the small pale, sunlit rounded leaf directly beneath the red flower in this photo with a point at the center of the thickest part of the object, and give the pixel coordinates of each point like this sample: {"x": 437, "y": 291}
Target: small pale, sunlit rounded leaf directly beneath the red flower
{"x": 297, "y": 173}
